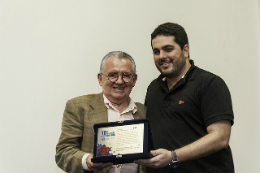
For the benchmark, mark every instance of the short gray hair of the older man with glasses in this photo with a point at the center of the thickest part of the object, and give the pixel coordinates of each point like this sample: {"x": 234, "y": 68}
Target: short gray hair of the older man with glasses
{"x": 120, "y": 55}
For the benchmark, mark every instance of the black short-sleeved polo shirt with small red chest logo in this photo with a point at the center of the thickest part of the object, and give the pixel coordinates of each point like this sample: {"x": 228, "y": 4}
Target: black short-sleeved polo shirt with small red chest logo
{"x": 181, "y": 115}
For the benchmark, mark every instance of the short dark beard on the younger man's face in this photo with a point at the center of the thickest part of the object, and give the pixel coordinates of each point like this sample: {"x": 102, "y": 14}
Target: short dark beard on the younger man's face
{"x": 175, "y": 69}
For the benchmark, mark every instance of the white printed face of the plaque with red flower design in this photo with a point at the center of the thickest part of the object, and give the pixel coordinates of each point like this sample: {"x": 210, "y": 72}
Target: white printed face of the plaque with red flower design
{"x": 119, "y": 140}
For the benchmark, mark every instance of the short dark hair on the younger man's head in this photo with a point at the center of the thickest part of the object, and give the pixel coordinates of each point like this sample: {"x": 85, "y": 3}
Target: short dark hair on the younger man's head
{"x": 172, "y": 29}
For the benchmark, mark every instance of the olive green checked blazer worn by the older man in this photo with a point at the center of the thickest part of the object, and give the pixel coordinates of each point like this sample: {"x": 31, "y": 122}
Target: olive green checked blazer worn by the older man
{"x": 77, "y": 136}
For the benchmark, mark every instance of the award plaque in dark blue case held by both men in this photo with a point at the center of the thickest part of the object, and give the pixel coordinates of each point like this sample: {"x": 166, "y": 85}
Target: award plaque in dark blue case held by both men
{"x": 122, "y": 141}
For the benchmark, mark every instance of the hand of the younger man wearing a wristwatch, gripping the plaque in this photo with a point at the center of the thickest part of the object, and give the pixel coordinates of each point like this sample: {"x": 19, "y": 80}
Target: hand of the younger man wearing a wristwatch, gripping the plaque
{"x": 162, "y": 158}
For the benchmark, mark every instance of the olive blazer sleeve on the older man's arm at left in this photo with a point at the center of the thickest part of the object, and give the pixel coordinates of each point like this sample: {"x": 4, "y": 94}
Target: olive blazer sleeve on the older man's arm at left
{"x": 68, "y": 154}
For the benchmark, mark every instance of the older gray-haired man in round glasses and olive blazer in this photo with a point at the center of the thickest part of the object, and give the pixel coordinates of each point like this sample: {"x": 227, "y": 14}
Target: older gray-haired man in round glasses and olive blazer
{"x": 74, "y": 150}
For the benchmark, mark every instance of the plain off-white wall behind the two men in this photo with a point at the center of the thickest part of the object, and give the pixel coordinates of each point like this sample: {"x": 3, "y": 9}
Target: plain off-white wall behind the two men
{"x": 50, "y": 51}
